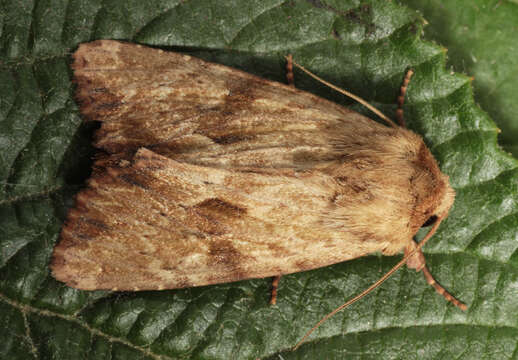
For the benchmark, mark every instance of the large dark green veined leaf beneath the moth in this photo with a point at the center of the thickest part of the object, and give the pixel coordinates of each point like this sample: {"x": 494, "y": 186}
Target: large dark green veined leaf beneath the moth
{"x": 364, "y": 47}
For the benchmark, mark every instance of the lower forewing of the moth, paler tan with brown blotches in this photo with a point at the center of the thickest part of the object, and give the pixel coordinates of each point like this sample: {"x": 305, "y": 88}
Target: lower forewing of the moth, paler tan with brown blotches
{"x": 157, "y": 223}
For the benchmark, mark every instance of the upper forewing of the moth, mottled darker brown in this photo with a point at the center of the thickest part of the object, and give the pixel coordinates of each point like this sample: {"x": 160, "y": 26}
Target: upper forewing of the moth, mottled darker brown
{"x": 203, "y": 113}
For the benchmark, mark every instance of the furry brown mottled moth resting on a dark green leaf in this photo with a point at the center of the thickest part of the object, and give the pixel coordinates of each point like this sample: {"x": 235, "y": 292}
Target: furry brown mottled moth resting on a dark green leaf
{"x": 210, "y": 175}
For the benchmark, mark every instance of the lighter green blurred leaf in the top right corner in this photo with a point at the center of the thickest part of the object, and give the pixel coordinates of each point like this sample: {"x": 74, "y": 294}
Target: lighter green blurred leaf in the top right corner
{"x": 481, "y": 40}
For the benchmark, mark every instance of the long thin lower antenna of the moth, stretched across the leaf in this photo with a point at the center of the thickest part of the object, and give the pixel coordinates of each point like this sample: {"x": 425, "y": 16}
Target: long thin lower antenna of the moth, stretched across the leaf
{"x": 375, "y": 285}
